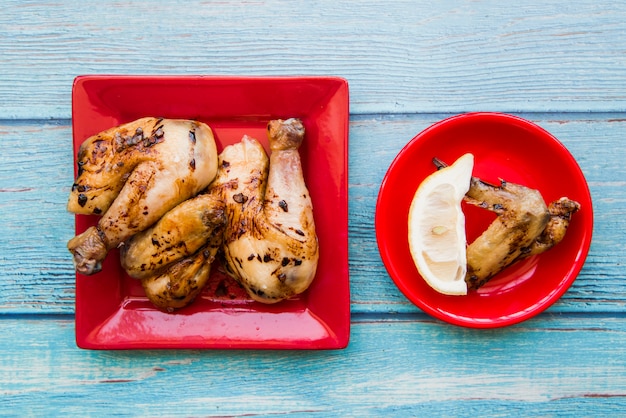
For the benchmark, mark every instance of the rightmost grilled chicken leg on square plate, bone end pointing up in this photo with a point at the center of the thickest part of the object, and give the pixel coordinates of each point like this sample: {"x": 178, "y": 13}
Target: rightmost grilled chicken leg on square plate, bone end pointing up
{"x": 270, "y": 245}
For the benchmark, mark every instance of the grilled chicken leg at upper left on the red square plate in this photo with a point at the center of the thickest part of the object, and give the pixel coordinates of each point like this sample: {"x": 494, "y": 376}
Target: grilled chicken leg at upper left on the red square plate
{"x": 133, "y": 174}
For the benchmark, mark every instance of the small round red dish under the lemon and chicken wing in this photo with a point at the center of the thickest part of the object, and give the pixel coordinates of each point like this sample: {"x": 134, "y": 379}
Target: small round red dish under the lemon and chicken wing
{"x": 505, "y": 147}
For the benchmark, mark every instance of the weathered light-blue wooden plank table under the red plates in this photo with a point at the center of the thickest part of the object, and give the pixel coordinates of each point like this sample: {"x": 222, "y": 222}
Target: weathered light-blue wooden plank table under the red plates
{"x": 409, "y": 64}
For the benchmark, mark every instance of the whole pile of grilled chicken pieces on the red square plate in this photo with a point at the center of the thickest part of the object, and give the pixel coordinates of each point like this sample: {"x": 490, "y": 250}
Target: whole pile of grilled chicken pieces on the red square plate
{"x": 257, "y": 211}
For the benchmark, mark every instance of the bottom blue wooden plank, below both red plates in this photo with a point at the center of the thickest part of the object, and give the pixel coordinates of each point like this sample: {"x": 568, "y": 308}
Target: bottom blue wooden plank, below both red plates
{"x": 558, "y": 366}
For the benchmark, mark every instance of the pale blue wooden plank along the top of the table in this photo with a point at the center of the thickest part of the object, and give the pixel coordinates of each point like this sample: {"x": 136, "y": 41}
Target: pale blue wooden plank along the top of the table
{"x": 445, "y": 56}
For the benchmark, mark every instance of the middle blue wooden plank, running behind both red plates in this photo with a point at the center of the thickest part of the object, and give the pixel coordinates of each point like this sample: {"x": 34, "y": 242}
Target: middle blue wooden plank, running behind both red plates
{"x": 36, "y": 272}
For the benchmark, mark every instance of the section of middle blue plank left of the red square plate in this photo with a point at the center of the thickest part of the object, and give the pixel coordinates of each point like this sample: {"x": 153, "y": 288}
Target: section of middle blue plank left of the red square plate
{"x": 34, "y": 173}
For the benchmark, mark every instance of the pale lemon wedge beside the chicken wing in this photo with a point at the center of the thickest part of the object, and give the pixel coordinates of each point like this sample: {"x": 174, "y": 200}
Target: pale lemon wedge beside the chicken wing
{"x": 437, "y": 227}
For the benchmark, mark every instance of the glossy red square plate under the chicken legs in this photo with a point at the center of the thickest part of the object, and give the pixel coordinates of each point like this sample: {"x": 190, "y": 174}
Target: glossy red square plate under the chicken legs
{"x": 111, "y": 310}
